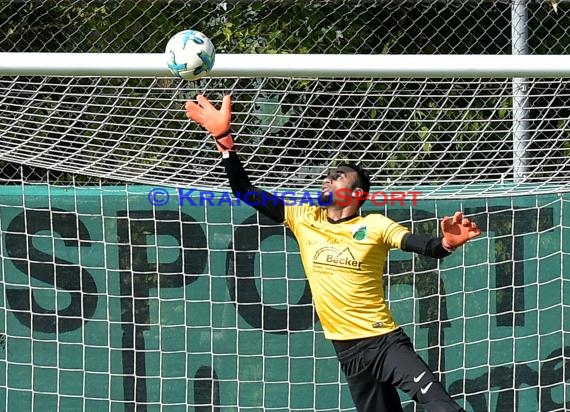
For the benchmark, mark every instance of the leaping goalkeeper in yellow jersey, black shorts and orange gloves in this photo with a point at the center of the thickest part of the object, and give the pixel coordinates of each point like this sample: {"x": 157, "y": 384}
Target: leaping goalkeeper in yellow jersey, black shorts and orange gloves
{"x": 343, "y": 256}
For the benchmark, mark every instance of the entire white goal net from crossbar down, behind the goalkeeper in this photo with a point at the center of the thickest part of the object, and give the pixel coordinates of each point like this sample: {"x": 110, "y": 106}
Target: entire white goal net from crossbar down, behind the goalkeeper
{"x": 132, "y": 283}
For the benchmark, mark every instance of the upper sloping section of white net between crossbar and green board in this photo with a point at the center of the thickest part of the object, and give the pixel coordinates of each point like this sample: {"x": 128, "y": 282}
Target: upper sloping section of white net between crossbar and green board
{"x": 443, "y": 136}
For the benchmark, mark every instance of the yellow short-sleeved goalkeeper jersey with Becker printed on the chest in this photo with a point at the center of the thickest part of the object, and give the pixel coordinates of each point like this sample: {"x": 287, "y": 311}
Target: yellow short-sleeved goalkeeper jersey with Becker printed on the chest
{"x": 344, "y": 264}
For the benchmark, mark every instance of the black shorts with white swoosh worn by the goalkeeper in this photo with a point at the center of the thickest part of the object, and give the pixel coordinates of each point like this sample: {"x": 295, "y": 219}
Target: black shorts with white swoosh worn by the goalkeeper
{"x": 374, "y": 367}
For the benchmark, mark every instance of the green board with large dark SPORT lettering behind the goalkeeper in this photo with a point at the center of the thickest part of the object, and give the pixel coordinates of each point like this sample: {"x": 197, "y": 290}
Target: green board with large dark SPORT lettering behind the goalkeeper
{"x": 113, "y": 304}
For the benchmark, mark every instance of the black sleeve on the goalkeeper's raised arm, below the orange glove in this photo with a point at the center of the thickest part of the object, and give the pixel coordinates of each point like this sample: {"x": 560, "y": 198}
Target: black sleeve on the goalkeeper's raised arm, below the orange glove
{"x": 266, "y": 203}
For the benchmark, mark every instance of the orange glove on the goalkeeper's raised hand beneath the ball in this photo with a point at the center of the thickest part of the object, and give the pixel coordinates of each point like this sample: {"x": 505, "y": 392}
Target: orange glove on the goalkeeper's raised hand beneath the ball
{"x": 215, "y": 121}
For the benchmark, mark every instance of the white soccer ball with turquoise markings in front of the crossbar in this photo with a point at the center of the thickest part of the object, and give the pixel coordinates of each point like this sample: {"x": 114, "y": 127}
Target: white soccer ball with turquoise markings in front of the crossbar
{"x": 190, "y": 55}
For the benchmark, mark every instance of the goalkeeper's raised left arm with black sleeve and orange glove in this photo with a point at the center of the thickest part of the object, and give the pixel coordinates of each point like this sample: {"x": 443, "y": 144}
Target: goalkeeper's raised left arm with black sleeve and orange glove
{"x": 218, "y": 123}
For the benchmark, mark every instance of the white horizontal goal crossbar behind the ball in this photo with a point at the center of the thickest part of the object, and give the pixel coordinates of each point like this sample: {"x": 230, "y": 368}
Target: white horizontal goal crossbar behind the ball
{"x": 295, "y": 65}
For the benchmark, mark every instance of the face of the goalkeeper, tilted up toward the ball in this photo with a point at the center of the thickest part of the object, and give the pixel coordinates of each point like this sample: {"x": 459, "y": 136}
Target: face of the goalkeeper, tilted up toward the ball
{"x": 338, "y": 186}
